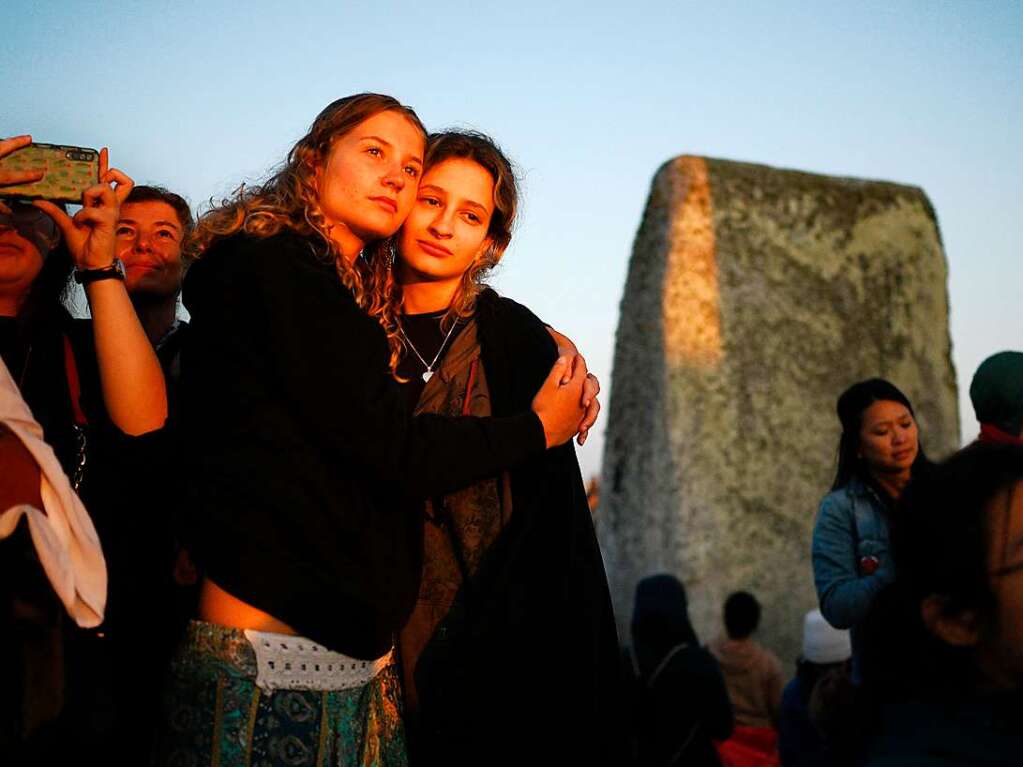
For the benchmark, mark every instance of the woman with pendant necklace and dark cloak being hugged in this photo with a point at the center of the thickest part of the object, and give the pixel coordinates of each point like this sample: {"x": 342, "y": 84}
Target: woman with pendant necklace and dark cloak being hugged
{"x": 514, "y": 624}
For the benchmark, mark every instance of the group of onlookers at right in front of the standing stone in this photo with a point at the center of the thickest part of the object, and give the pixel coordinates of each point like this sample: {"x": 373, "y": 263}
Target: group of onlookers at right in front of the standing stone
{"x": 916, "y": 654}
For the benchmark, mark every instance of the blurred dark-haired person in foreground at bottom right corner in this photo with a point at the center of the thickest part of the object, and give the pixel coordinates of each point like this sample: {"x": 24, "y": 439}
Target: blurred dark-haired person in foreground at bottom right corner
{"x": 948, "y": 679}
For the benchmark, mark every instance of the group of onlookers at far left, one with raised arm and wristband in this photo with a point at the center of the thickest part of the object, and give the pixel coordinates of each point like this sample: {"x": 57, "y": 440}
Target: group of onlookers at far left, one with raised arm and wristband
{"x": 69, "y": 680}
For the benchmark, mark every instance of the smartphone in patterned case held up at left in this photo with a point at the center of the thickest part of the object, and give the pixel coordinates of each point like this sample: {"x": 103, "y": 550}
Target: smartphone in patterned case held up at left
{"x": 70, "y": 171}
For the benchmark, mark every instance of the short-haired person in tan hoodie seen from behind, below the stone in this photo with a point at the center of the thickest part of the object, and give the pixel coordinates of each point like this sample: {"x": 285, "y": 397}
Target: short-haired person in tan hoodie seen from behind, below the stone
{"x": 752, "y": 674}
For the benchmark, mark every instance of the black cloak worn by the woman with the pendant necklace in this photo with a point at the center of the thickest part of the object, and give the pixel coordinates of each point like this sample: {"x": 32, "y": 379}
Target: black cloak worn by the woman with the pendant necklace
{"x": 529, "y": 673}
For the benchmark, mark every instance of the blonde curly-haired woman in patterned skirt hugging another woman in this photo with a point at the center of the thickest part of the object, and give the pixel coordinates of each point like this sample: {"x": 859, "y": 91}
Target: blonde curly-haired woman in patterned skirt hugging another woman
{"x": 296, "y": 431}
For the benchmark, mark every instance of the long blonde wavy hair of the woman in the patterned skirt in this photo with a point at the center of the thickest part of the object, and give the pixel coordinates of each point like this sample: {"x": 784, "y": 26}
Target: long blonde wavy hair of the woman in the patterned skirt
{"x": 289, "y": 199}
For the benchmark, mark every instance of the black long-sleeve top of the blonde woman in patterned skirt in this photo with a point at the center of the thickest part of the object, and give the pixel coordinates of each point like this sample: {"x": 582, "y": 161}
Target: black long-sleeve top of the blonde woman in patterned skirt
{"x": 294, "y": 428}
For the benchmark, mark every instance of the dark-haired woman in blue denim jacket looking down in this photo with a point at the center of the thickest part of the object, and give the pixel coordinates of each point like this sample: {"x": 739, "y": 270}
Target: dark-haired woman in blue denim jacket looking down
{"x": 878, "y": 454}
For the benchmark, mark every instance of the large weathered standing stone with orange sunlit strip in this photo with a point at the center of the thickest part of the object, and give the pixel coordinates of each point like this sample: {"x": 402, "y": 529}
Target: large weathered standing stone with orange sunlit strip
{"x": 754, "y": 297}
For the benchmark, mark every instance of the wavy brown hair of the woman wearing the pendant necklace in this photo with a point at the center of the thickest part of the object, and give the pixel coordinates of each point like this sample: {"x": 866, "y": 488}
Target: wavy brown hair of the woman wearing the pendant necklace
{"x": 386, "y": 296}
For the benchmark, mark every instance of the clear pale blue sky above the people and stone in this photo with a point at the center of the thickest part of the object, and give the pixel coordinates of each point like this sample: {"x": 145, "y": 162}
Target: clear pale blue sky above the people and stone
{"x": 590, "y": 99}
